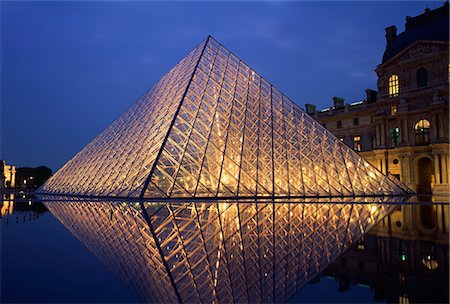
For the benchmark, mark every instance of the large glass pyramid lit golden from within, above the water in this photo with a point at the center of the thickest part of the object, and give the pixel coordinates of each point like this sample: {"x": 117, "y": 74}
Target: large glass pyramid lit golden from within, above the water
{"x": 213, "y": 127}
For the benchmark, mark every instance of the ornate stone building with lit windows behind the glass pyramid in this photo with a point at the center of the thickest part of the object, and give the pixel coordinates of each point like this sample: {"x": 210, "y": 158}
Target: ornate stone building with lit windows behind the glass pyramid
{"x": 403, "y": 128}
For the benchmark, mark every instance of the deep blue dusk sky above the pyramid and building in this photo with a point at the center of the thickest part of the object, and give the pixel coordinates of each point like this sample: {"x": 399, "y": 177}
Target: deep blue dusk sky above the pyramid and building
{"x": 68, "y": 69}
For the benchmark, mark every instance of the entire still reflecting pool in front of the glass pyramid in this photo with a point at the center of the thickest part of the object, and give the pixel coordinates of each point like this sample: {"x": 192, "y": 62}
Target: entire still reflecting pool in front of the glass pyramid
{"x": 359, "y": 250}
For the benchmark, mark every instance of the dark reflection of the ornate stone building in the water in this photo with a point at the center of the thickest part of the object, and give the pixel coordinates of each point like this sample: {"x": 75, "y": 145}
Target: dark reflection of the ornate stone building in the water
{"x": 404, "y": 258}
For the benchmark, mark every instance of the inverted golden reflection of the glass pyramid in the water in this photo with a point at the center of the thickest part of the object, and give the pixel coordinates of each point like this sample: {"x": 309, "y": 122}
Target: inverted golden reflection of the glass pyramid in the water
{"x": 216, "y": 251}
